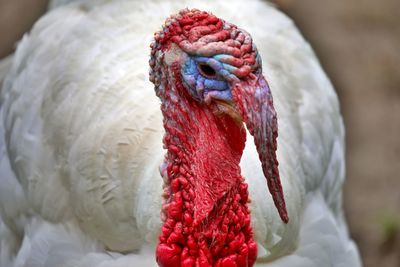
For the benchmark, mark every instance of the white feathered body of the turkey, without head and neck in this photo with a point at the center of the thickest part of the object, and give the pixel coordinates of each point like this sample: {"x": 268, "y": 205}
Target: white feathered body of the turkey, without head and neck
{"x": 81, "y": 141}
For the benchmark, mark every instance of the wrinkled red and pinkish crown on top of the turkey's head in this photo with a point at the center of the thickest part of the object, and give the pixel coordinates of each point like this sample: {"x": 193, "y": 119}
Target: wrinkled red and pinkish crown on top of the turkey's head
{"x": 199, "y": 33}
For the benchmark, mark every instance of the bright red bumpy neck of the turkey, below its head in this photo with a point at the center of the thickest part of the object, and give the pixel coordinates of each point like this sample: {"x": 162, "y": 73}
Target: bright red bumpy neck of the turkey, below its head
{"x": 205, "y": 214}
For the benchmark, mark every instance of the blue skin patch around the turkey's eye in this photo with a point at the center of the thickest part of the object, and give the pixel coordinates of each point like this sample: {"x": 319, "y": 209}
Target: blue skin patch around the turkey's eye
{"x": 214, "y": 82}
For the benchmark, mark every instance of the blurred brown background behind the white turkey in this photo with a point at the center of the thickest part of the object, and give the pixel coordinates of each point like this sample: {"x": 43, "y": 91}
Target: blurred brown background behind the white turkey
{"x": 358, "y": 44}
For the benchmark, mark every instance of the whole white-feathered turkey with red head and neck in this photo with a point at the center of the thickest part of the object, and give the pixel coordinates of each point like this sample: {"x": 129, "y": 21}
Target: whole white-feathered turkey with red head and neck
{"x": 104, "y": 164}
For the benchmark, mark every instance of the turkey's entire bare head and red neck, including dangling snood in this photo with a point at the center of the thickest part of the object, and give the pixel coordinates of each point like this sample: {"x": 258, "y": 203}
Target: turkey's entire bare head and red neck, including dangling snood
{"x": 207, "y": 73}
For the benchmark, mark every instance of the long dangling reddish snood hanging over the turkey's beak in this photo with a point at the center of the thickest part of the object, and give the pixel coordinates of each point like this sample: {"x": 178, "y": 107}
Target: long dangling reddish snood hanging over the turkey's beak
{"x": 253, "y": 101}
